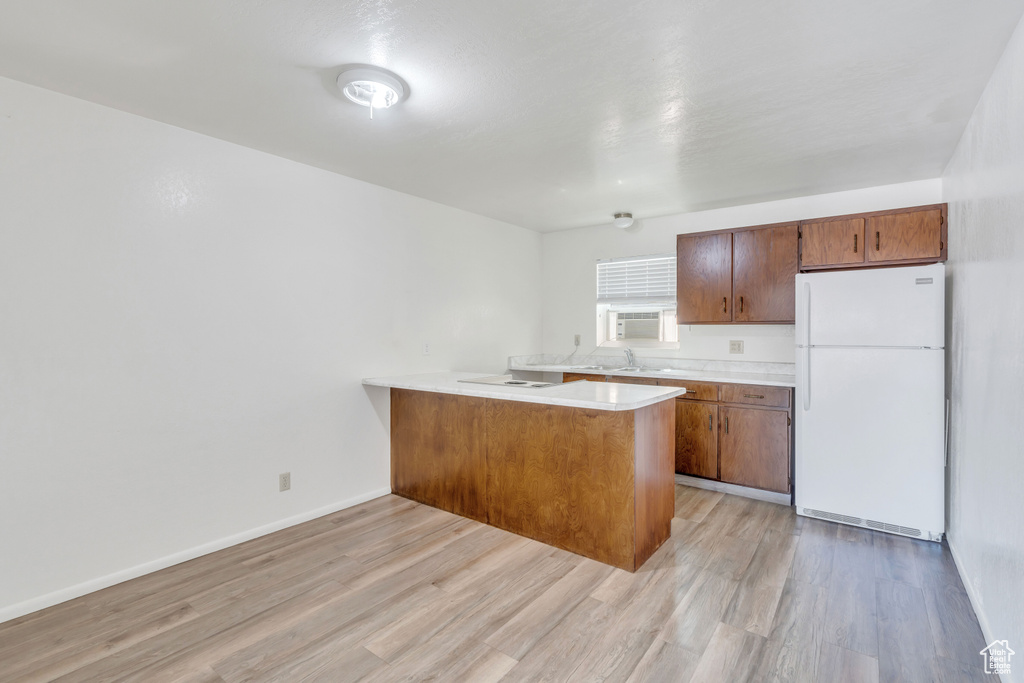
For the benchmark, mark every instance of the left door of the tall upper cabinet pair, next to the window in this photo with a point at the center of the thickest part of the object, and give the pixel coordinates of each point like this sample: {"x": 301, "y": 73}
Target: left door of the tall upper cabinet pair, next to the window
{"x": 704, "y": 278}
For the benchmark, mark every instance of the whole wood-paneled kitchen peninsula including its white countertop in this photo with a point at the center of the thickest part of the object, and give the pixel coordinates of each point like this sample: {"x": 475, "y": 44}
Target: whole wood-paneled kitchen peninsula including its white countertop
{"x": 587, "y": 467}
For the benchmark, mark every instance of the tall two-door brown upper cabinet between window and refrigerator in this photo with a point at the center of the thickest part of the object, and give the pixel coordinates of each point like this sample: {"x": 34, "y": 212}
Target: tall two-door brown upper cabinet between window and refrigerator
{"x": 742, "y": 276}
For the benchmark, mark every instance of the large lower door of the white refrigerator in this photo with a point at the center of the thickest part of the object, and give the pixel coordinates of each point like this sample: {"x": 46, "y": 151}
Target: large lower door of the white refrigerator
{"x": 870, "y": 436}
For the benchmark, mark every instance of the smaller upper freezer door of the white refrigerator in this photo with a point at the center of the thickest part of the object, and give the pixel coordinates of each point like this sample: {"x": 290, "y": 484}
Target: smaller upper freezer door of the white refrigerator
{"x": 873, "y": 308}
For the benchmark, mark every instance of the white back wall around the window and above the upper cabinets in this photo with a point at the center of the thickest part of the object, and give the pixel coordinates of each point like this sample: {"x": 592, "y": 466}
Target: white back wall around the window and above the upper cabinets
{"x": 570, "y": 260}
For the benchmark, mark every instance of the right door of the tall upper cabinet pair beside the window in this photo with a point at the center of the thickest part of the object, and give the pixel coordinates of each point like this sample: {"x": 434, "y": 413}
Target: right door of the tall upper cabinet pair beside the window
{"x": 764, "y": 272}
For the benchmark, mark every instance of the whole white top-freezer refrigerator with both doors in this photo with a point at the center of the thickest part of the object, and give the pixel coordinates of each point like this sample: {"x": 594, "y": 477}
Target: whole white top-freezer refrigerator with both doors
{"x": 871, "y": 399}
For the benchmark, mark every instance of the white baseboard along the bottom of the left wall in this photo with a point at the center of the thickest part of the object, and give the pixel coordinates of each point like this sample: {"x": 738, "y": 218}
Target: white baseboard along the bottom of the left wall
{"x": 94, "y": 585}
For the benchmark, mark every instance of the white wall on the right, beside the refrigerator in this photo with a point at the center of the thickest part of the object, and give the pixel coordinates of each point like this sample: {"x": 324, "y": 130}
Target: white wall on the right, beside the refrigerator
{"x": 985, "y": 185}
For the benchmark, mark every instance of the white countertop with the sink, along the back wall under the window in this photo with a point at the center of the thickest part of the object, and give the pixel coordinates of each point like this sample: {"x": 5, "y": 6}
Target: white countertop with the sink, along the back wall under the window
{"x": 743, "y": 375}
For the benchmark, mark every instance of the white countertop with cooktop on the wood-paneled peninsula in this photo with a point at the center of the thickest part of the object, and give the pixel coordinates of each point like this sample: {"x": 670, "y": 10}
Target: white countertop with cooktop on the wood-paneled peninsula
{"x": 596, "y": 396}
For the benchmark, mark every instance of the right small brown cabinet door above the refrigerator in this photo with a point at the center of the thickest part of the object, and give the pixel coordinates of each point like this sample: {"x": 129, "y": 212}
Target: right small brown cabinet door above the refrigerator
{"x": 900, "y": 237}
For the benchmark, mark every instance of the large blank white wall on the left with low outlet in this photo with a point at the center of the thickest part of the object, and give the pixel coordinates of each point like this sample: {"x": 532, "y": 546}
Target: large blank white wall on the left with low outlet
{"x": 184, "y": 319}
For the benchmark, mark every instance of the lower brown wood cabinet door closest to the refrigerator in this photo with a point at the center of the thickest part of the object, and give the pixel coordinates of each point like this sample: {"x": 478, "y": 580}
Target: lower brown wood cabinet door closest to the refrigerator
{"x": 755, "y": 448}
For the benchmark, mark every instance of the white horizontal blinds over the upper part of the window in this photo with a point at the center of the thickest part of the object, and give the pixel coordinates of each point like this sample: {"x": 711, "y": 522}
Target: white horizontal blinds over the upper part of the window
{"x": 638, "y": 280}
